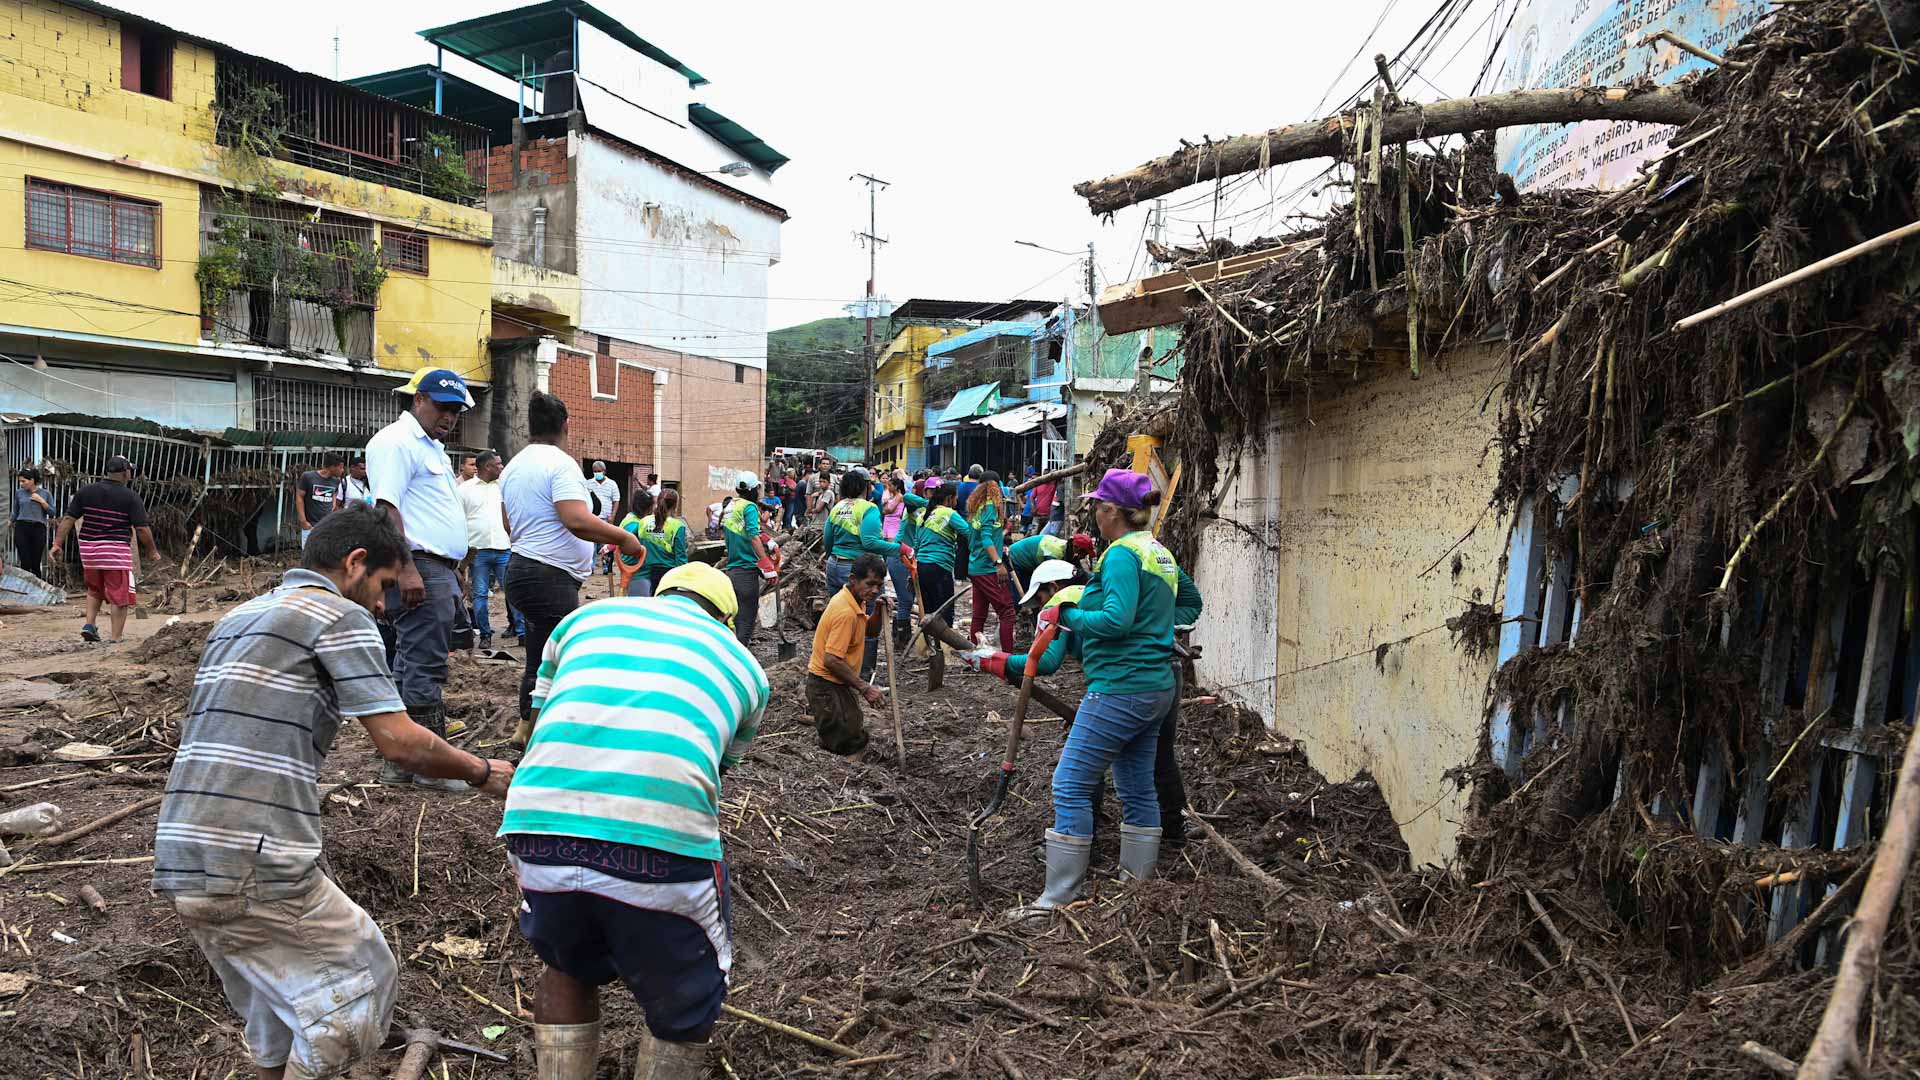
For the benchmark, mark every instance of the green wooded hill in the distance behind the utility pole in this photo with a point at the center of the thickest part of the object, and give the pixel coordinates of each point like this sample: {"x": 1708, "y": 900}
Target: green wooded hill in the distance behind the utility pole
{"x": 817, "y": 383}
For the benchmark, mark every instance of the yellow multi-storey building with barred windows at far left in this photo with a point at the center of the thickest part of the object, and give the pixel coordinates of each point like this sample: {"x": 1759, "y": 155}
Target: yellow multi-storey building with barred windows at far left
{"x": 208, "y": 239}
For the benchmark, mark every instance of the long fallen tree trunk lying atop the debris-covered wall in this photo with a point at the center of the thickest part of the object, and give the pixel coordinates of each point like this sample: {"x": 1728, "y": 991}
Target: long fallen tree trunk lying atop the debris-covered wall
{"x": 1328, "y": 137}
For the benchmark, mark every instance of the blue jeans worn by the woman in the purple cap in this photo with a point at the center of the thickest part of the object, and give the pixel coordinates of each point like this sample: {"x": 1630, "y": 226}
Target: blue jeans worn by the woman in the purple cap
{"x": 1120, "y": 731}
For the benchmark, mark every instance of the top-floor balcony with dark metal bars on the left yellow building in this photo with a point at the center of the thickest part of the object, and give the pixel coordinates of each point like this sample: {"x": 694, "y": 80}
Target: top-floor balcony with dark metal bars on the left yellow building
{"x": 314, "y": 122}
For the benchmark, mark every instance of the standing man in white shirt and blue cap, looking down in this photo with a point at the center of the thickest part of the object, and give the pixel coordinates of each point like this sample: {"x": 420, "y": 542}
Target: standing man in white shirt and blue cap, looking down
{"x": 408, "y": 470}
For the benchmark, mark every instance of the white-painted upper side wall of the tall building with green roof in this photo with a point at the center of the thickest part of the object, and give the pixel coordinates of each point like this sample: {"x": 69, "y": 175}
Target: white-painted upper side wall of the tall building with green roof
{"x": 671, "y": 262}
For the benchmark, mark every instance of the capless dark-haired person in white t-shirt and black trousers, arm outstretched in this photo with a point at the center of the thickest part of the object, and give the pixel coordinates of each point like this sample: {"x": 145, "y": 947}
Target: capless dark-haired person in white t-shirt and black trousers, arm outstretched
{"x": 554, "y": 535}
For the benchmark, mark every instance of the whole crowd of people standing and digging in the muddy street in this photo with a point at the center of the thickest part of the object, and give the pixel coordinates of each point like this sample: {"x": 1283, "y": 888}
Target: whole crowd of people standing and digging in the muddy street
{"x": 633, "y": 708}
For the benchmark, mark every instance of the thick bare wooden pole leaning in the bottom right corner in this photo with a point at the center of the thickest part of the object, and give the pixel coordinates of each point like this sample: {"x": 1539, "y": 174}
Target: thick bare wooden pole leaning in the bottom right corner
{"x": 1835, "y": 1046}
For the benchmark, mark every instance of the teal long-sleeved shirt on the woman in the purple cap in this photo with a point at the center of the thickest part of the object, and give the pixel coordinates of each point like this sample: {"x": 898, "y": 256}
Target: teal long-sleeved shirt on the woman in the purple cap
{"x": 1126, "y": 618}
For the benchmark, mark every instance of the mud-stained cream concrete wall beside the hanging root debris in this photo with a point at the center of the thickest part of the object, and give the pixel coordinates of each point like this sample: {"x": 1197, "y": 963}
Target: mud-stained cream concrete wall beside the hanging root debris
{"x": 1372, "y": 483}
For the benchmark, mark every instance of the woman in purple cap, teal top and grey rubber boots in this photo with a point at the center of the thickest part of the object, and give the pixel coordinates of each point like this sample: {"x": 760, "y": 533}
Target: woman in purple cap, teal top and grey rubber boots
{"x": 1124, "y": 627}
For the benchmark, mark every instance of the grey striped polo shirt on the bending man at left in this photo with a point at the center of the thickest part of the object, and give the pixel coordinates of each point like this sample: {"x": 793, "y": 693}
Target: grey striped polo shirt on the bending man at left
{"x": 241, "y": 812}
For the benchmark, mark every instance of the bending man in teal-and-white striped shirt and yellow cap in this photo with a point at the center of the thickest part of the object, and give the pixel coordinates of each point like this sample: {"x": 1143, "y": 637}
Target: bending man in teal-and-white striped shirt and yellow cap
{"x": 613, "y": 822}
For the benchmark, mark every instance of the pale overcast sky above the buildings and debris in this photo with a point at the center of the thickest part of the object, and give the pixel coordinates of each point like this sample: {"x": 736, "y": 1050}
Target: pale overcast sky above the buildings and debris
{"x": 982, "y": 116}
